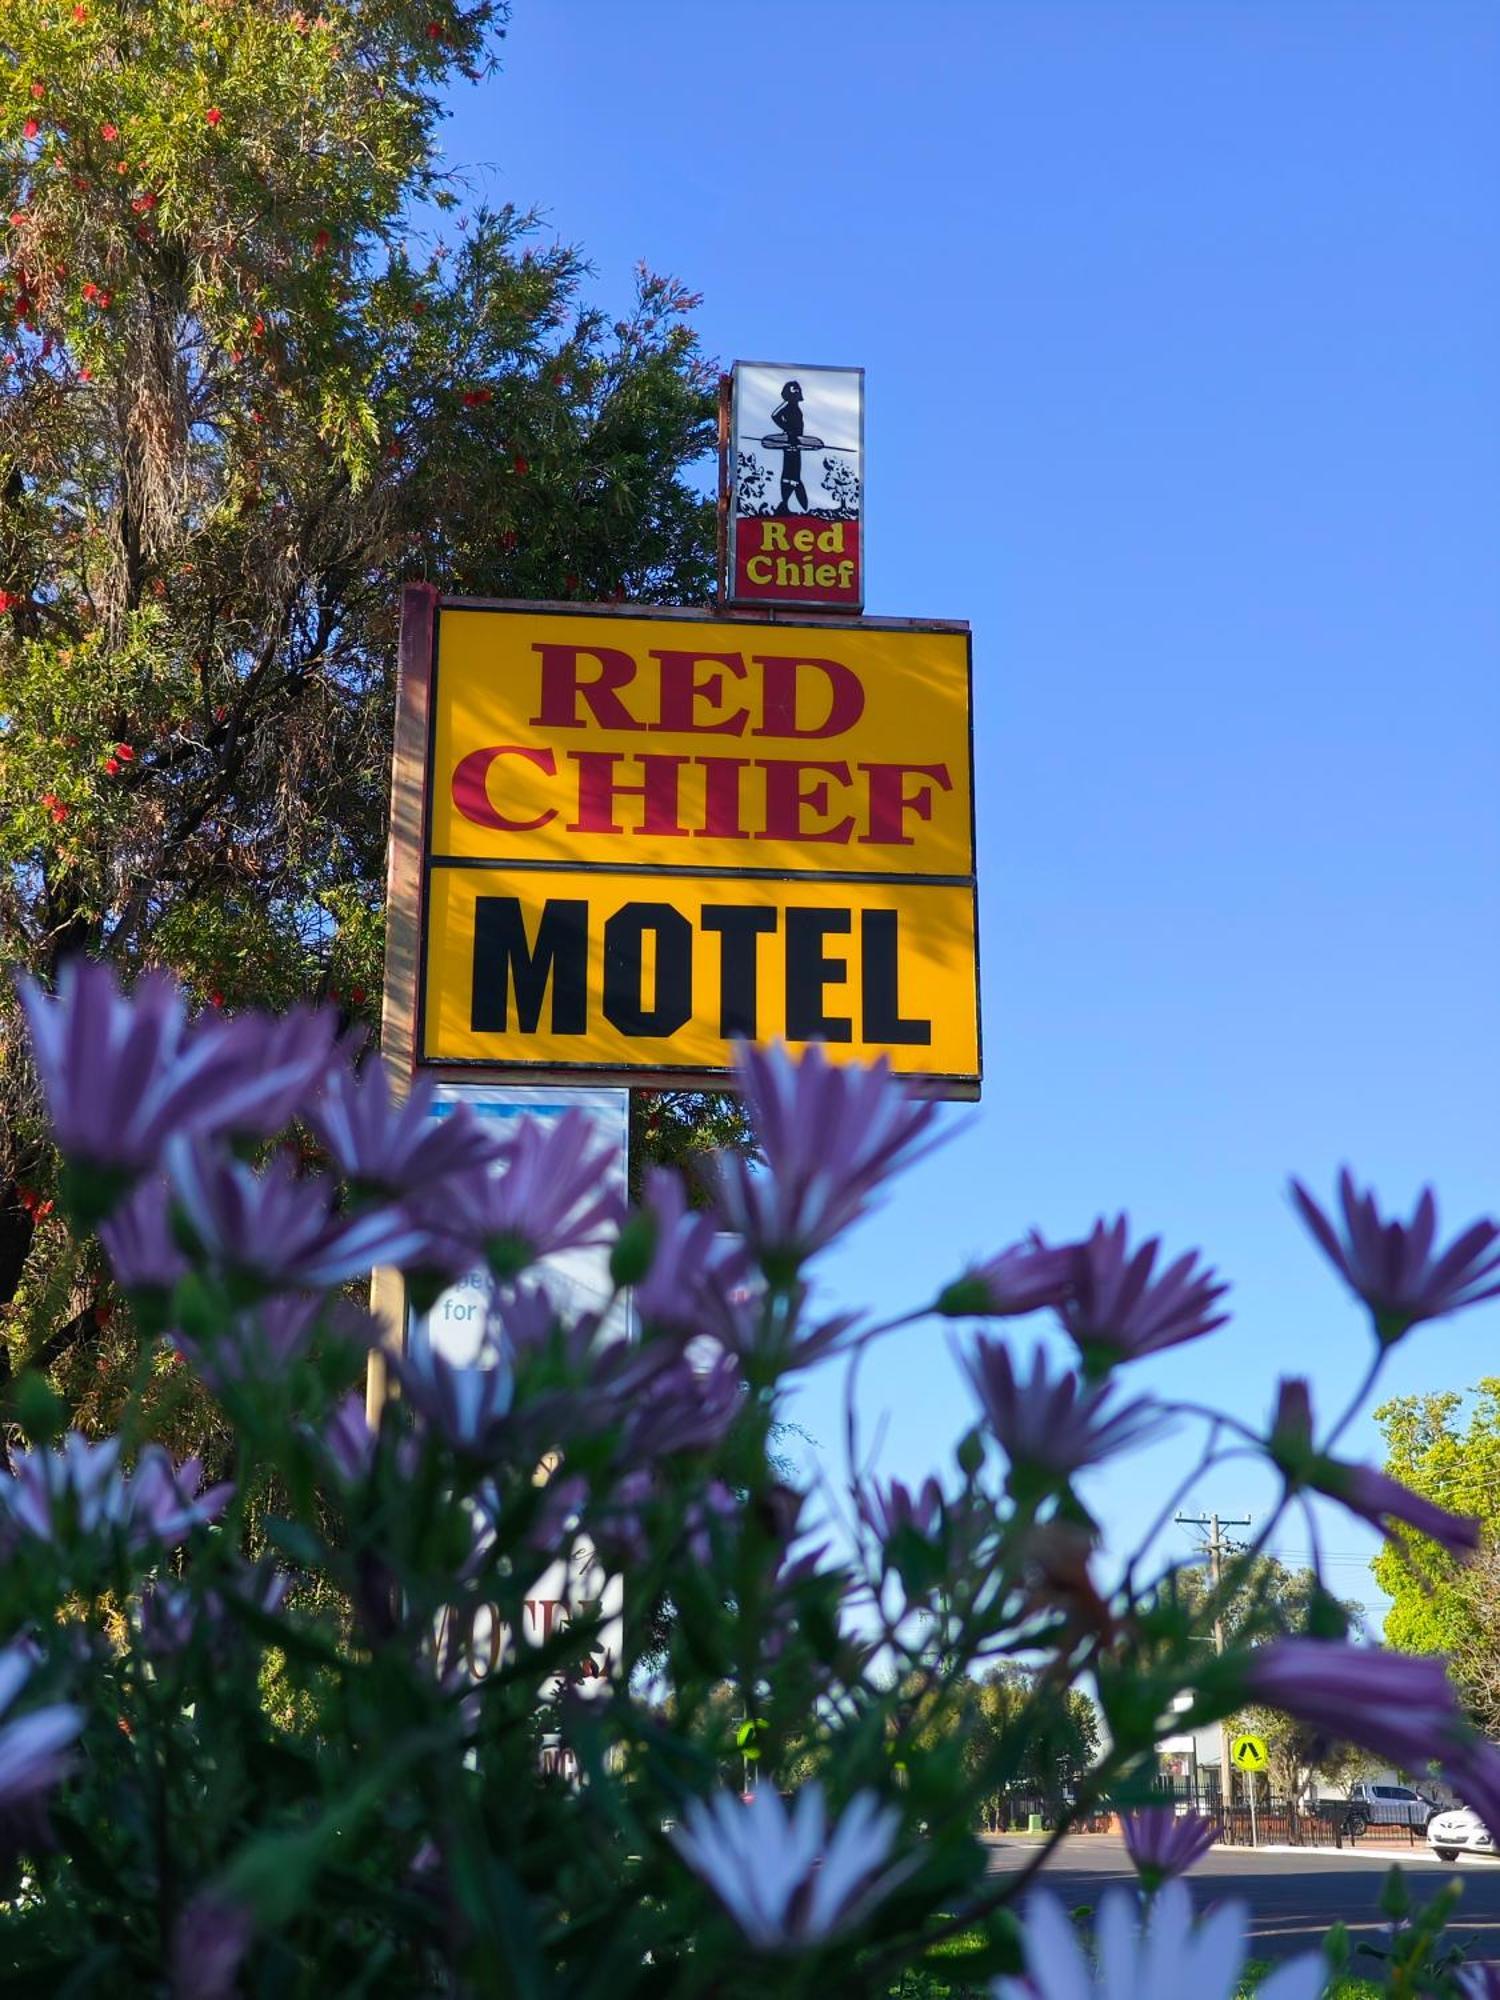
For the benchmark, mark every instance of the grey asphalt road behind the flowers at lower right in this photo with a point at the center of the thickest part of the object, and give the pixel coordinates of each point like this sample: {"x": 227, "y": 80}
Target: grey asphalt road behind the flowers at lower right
{"x": 1293, "y": 1897}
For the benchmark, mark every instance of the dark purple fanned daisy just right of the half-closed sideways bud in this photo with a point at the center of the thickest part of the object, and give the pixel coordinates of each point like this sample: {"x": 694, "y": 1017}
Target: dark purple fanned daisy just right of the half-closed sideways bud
{"x": 1119, "y": 1311}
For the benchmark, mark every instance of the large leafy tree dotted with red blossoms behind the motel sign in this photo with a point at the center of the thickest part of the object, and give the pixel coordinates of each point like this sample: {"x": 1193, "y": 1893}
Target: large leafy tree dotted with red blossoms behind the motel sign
{"x": 257, "y": 369}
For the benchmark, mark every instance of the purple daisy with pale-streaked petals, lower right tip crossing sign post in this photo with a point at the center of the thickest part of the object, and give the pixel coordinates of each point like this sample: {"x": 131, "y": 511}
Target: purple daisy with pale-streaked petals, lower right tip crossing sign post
{"x": 277, "y": 1229}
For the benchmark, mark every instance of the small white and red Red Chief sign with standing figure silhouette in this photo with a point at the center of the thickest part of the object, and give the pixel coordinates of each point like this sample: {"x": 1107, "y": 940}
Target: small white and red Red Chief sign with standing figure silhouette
{"x": 795, "y": 477}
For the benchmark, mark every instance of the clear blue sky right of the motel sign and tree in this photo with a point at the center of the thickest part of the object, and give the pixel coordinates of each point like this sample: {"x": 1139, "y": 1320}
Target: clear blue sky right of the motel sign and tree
{"x": 1183, "y": 345}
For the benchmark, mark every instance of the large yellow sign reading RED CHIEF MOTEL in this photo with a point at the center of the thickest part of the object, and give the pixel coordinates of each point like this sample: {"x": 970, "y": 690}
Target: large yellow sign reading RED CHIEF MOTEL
{"x": 649, "y": 835}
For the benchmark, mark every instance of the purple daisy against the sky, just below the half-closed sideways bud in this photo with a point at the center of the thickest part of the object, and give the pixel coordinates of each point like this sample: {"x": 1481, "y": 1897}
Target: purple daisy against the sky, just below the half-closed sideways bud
{"x": 1051, "y": 1425}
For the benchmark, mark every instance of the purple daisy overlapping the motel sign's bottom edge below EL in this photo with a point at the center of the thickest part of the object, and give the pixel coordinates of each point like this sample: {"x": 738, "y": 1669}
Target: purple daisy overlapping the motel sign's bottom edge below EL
{"x": 831, "y": 1137}
